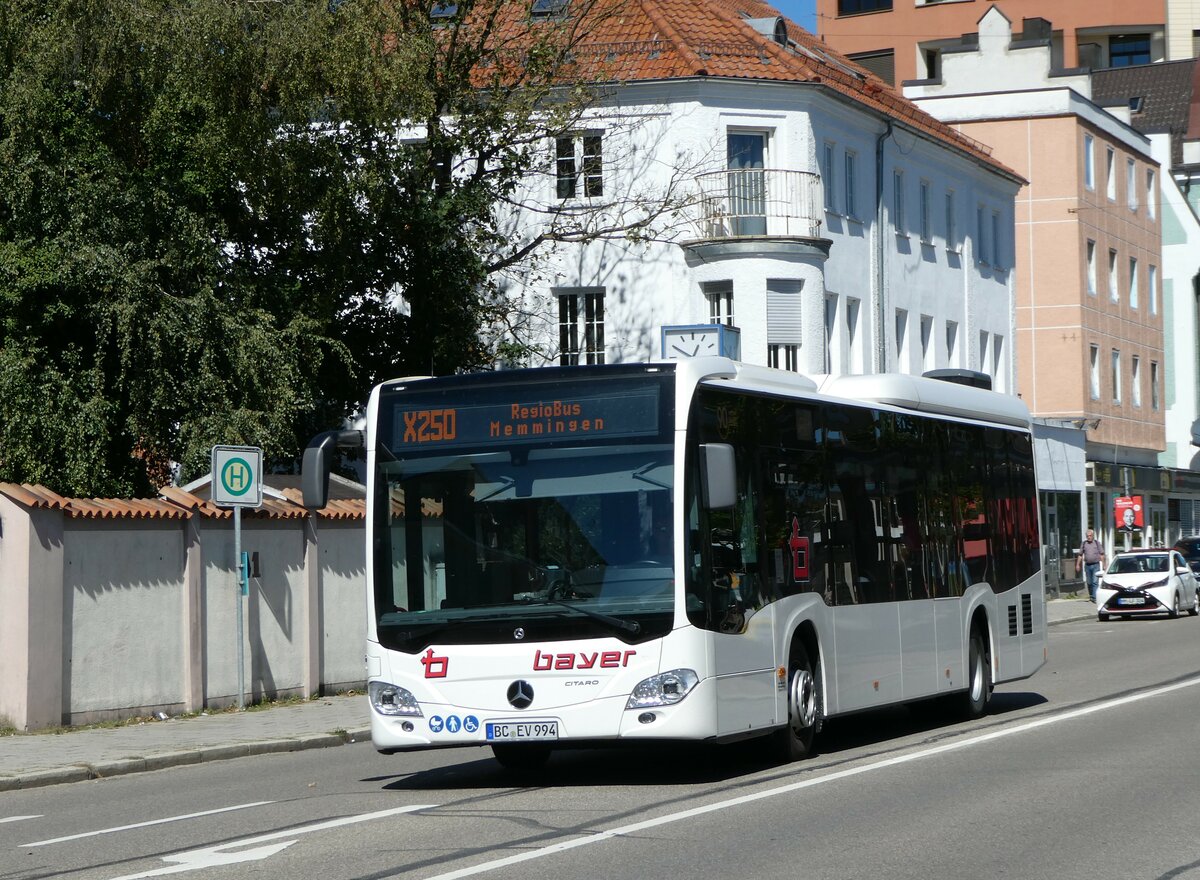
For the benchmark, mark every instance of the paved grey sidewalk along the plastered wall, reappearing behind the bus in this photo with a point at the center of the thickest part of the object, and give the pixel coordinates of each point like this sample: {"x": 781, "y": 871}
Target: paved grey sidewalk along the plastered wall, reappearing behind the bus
{"x": 47, "y": 759}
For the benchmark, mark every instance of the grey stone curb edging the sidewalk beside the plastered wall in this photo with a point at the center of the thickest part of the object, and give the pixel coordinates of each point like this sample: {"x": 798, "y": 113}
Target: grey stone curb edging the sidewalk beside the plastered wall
{"x": 161, "y": 761}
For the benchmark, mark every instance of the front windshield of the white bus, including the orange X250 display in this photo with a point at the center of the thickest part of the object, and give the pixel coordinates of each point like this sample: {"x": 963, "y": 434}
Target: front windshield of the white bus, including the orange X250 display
{"x": 565, "y": 532}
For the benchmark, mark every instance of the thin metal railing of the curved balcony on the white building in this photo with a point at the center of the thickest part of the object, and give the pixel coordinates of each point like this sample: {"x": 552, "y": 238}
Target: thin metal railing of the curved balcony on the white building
{"x": 757, "y": 202}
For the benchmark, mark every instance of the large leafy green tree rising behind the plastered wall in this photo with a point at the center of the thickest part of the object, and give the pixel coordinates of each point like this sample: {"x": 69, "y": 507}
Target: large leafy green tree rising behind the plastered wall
{"x": 221, "y": 222}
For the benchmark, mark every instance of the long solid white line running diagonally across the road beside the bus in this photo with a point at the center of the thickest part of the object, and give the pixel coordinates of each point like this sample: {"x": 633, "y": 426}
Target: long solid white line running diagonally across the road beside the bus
{"x": 809, "y": 783}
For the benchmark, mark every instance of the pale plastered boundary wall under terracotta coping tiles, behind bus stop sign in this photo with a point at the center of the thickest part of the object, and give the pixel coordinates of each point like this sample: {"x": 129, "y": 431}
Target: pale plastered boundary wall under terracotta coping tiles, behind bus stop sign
{"x": 105, "y": 619}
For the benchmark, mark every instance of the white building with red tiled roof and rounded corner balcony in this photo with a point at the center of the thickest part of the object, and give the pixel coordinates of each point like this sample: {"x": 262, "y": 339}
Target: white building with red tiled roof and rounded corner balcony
{"x": 821, "y": 213}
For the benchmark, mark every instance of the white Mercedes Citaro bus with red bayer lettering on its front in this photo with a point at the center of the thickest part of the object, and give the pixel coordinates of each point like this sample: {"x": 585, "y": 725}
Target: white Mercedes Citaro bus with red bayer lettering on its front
{"x": 701, "y": 550}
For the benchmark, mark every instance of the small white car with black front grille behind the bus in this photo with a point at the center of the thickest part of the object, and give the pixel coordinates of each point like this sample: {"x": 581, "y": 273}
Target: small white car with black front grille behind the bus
{"x": 1147, "y": 583}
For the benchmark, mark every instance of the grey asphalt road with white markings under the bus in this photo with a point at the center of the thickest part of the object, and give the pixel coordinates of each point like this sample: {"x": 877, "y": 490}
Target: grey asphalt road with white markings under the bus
{"x": 1085, "y": 771}
